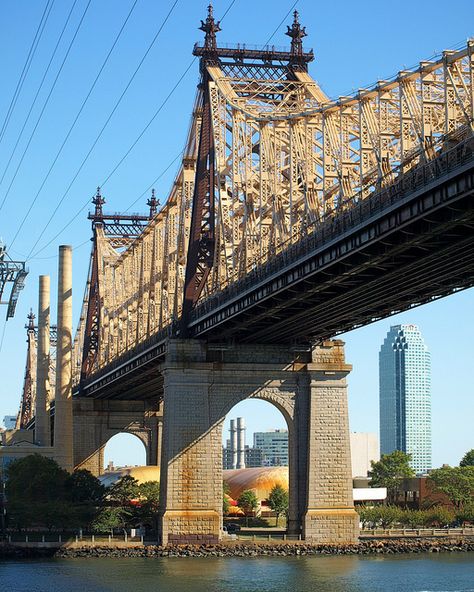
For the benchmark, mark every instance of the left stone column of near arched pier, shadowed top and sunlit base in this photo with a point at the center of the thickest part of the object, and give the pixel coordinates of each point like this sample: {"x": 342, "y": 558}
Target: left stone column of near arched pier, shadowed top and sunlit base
{"x": 191, "y": 467}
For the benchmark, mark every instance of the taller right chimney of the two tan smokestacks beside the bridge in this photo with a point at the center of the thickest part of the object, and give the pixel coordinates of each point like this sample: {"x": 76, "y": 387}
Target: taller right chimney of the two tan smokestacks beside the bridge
{"x": 63, "y": 398}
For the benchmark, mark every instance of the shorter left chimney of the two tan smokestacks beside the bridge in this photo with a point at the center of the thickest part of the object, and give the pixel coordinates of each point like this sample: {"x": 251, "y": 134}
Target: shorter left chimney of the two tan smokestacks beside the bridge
{"x": 42, "y": 425}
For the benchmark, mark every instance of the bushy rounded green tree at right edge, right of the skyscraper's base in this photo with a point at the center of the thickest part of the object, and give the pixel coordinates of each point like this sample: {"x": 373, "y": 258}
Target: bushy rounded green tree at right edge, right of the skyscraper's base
{"x": 457, "y": 483}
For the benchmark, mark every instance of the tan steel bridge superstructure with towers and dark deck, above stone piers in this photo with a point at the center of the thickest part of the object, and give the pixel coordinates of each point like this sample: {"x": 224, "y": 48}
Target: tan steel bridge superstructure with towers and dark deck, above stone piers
{"x": 293, "y": 217}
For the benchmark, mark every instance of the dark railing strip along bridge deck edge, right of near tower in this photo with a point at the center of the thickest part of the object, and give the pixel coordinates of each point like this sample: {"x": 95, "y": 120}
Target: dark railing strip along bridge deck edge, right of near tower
{"x": 355, "y": 211}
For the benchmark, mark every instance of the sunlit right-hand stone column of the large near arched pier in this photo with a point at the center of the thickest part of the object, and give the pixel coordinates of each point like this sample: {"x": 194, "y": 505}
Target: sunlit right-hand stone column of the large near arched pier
{"x": 329, "y": 515}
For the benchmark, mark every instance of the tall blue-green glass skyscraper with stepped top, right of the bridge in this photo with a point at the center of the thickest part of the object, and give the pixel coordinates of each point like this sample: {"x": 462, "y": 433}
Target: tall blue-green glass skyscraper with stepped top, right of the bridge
{"x": 405, "y": 395}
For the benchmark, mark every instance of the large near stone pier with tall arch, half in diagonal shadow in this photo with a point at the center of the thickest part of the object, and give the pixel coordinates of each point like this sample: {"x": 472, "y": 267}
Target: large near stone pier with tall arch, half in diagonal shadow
{"x": 202, "y": 383}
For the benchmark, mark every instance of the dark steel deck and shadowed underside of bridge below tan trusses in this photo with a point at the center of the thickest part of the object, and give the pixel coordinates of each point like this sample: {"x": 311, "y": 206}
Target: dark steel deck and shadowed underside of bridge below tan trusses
{"x": 406, "y": 245}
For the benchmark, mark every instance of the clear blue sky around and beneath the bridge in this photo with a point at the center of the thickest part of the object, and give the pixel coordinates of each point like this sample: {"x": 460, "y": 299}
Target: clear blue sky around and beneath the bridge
{"x": 355, "y": 44}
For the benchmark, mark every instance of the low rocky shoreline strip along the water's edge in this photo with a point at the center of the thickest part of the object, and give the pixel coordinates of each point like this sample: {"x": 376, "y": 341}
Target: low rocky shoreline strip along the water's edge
{"x": 373, "y": 547}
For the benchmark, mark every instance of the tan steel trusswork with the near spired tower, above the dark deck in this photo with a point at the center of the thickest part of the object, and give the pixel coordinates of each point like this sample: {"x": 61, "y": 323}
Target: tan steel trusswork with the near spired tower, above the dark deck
{"x": 269, "y": 159}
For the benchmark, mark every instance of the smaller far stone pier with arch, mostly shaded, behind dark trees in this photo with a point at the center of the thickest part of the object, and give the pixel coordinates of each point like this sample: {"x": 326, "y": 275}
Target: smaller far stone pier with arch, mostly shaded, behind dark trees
{"x": 96, "y": 421}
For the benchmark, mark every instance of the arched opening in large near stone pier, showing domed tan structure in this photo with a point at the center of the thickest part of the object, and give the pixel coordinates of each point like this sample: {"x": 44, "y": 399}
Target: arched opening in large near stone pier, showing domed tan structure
{"x": 256, "y": 442}
